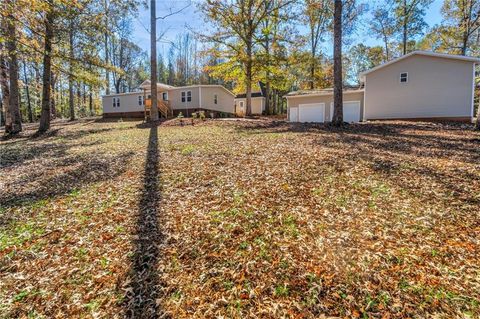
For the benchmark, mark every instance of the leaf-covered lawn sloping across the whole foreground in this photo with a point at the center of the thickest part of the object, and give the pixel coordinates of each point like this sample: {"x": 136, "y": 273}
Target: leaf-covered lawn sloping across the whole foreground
{"x": 241, "y": 219}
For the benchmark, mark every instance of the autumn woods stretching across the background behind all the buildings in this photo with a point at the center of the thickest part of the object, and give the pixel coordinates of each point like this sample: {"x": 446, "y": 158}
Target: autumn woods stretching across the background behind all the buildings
{"x": 57, "y": 57}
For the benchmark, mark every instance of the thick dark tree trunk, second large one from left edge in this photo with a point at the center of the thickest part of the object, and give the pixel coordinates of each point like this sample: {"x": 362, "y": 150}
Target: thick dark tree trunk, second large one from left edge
{"x": 47, "y": 71}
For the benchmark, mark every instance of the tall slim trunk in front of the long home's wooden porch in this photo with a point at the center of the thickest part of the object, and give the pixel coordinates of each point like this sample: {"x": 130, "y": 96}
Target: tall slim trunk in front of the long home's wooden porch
{"x": 153, "y": 61}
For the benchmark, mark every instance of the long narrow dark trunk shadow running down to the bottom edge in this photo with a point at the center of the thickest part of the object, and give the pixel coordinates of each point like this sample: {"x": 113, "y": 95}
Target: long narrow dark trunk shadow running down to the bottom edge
{"x": 144, "y": 288}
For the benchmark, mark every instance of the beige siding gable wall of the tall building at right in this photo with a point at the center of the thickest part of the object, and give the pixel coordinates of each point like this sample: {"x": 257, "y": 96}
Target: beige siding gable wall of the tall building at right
{"x": 436, "y": 88}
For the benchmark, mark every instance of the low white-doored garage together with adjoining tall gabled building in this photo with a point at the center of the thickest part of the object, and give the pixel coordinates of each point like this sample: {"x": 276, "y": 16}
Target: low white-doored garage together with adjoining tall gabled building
{"x": 420, "y": 85}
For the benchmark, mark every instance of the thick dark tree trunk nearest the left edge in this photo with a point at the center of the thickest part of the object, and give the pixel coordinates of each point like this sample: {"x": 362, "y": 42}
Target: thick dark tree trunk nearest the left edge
{"x": 13, "y": 71}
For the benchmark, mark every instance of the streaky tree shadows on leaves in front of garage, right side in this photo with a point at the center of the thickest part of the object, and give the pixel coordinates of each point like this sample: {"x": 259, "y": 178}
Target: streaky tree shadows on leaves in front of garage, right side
{"x": 396, "y": 150}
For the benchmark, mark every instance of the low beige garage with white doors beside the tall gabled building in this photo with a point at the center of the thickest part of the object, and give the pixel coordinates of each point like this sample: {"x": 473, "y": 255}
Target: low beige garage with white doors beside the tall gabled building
{"x": 316, "y": 106}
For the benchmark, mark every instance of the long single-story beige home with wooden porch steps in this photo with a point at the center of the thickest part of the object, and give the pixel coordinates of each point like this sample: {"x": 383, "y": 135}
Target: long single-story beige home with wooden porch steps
{"x": 213, "y": 99}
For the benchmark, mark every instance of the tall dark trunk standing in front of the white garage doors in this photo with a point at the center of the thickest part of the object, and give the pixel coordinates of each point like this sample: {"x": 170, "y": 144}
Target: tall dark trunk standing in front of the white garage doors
{"x": 337, "y": 66}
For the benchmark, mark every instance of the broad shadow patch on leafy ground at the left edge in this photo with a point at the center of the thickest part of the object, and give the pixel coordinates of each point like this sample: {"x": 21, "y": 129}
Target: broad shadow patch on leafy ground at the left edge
{"x": 39, "y": 168}
